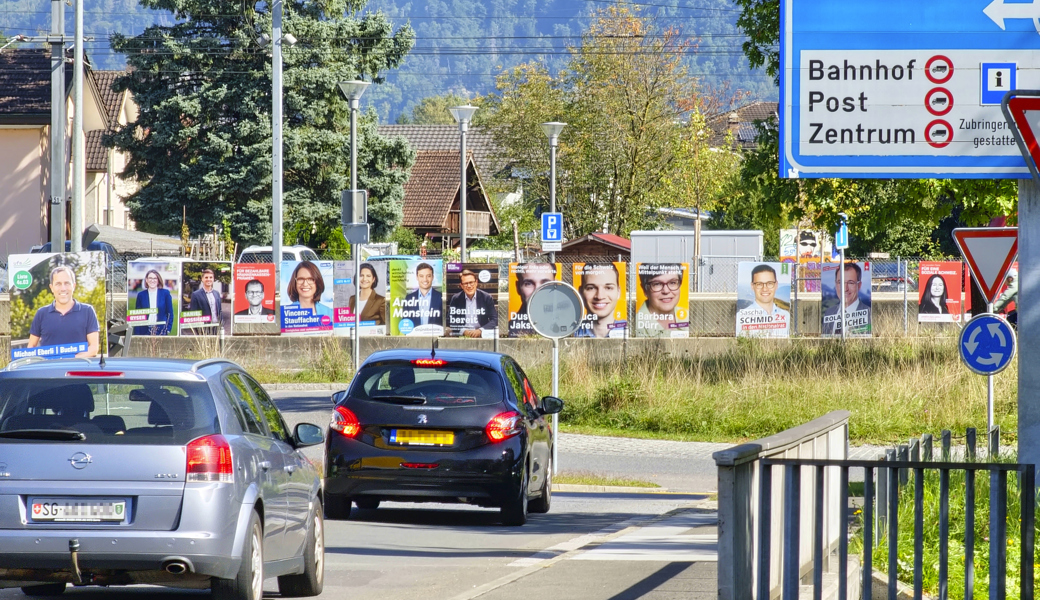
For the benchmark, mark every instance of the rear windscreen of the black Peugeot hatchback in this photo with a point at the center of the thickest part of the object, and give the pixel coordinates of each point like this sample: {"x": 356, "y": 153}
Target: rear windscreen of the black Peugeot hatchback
{"x": 449, "y": 385}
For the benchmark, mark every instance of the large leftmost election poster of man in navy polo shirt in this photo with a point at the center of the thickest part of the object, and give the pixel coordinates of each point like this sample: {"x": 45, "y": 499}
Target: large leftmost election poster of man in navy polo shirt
{"x": 58, "y": 304}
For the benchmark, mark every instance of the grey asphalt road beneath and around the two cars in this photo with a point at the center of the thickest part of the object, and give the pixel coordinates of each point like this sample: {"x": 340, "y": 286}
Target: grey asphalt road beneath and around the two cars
{"x": 592, "y": 545}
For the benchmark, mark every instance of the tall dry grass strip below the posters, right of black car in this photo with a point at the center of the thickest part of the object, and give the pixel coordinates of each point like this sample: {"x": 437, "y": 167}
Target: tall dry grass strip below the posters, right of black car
{"x": 895, "y": 389}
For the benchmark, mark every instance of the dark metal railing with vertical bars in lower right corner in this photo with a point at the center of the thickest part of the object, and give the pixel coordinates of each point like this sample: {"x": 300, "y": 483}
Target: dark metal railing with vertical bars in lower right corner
{"x": 894, "y": 475}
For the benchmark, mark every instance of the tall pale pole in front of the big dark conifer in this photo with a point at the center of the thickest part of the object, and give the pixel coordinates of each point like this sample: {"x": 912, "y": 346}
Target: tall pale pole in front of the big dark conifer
{"x": 276, "y": 41}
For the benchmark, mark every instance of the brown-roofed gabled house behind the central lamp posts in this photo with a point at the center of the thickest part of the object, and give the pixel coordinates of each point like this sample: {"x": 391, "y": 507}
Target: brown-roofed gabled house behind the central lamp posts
{"x": 432, "y": 207}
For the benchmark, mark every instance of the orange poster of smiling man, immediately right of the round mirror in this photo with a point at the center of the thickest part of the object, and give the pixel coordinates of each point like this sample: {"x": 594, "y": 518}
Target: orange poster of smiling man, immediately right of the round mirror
{"x": 603, "y": 292}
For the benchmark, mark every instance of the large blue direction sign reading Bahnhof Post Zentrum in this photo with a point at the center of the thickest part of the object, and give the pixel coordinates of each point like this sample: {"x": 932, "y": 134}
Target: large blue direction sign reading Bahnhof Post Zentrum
{"x": 909, "y": 90}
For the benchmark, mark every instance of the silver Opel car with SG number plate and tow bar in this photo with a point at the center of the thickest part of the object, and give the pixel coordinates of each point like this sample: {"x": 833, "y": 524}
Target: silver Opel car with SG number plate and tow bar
{"x": 175, "y": 474}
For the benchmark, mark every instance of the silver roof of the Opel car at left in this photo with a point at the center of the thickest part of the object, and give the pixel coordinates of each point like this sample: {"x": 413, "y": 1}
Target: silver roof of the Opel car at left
{"x": 131, "y": 368}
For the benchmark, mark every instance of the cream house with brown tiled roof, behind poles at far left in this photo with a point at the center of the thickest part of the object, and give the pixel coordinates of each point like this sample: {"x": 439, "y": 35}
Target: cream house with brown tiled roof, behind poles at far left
{"x": 25, "y": 169}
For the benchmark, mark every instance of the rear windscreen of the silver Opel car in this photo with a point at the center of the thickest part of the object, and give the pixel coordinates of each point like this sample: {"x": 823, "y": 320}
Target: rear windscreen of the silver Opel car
{"x": 129, "y": 412}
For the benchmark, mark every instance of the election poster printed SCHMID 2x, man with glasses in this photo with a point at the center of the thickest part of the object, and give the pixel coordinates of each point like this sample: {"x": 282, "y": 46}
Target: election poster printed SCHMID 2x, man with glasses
{"x": 764, "y": 300}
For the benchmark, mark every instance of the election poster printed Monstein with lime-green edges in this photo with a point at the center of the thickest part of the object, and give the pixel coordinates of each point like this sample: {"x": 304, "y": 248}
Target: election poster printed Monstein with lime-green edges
{"x": 417, "y": 298}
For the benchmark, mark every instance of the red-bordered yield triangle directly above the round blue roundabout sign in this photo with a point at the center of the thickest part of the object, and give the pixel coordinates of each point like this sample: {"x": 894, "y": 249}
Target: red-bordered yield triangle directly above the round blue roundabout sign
{"x": 990, "y": 252}
